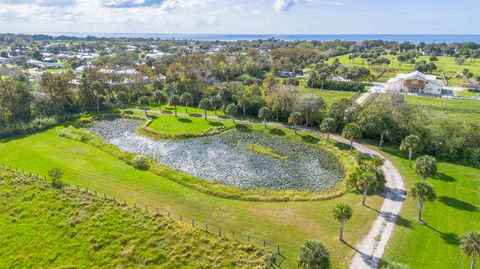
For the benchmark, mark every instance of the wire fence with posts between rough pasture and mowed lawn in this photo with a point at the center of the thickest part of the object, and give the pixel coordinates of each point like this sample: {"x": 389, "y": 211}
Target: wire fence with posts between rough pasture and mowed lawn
{"x": 210, "y": 228}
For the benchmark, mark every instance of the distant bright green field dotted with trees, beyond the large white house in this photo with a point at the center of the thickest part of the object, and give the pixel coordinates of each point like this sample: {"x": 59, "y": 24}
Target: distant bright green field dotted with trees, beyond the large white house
{"x": 444, "y": 64}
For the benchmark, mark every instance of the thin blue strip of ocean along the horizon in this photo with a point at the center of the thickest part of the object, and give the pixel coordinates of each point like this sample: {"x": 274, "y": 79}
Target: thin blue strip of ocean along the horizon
{"x": 413, "y": 38}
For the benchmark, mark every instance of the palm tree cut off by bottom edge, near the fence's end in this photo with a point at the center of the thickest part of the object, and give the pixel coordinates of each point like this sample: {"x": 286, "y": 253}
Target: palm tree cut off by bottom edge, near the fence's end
{"x": 313, "y": 255}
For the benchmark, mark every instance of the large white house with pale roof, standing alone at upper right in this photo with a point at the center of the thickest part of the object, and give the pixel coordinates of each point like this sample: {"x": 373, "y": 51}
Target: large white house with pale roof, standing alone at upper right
{"x": 415, "y": 82}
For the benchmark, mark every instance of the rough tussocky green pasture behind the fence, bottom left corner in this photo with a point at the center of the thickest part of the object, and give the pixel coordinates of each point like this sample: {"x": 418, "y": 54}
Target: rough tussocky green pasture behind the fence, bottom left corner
{"x": 47, "y": 227}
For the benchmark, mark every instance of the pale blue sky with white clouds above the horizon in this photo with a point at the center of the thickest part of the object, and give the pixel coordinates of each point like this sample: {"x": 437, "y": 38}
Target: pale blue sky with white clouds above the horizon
{"x": 241, "y": 16}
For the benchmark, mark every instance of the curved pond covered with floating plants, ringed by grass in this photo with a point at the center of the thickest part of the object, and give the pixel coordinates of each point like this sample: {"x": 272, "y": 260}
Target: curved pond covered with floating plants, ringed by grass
{"x": 224, "y": 158}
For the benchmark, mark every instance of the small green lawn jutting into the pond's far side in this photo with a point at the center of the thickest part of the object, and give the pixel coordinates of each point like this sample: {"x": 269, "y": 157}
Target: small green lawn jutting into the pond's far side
{"x": 184, "y": 125}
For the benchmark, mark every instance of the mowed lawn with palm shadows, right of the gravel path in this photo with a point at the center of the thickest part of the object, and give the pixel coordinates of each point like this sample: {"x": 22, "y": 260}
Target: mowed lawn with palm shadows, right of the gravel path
{"x": 455, "y": 212}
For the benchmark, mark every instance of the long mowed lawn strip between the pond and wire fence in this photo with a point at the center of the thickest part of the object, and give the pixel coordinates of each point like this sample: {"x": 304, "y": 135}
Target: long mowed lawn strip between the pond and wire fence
{"x": 286, "y": 223}
